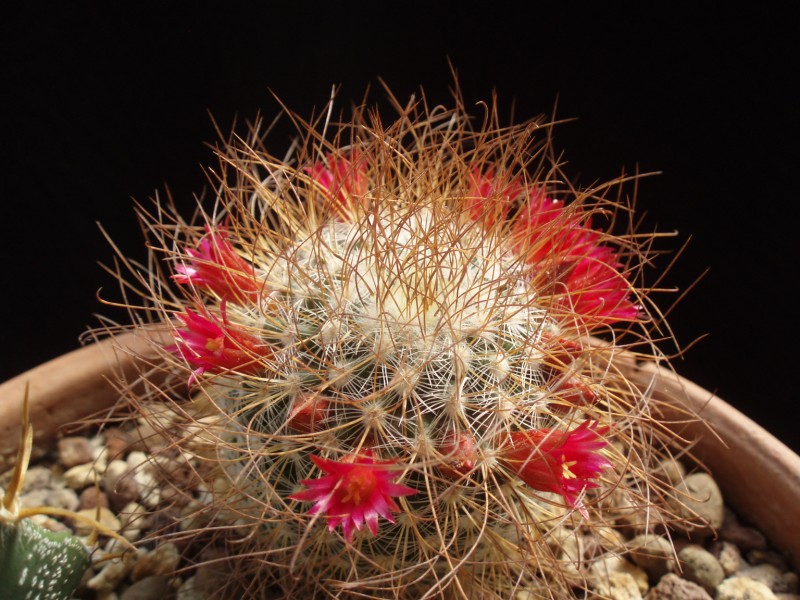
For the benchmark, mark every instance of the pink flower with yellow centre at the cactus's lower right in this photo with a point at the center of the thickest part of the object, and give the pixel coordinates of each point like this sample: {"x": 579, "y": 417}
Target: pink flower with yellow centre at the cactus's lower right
{"x": 564, "y": 462}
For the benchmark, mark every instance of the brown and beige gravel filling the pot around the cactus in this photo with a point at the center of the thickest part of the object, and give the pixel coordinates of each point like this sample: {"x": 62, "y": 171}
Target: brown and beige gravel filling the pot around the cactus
{"x": 107, "y": 477}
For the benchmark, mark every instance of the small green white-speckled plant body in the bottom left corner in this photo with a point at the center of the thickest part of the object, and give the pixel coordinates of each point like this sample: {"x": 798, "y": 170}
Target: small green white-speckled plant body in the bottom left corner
{"x": 37, "y": 564}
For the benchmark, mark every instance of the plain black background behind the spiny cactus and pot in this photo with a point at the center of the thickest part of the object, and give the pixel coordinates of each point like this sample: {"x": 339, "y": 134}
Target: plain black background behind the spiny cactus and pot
{"x": 103, "y": 105}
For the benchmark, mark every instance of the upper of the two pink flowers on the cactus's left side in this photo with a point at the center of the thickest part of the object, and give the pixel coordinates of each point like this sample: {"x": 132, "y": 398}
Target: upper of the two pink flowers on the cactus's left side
{"x": 216, "y": 266}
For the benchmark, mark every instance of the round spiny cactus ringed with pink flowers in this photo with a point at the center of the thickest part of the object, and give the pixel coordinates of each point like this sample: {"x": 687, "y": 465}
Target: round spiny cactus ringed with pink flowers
{"x": 394, "y": 385}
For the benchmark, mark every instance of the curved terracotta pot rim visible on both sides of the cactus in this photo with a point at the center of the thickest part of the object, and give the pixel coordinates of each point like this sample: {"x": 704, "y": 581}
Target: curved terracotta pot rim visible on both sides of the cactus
{"x": 759, "y": 476}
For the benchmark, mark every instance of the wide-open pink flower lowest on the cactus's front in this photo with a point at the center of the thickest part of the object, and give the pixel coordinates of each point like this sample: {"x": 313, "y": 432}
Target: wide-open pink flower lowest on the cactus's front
{"x": 355, "y": 491}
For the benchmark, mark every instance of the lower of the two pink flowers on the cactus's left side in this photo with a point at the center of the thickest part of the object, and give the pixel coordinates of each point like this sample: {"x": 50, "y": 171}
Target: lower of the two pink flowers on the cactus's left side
{"x": 211, "y": 345}
